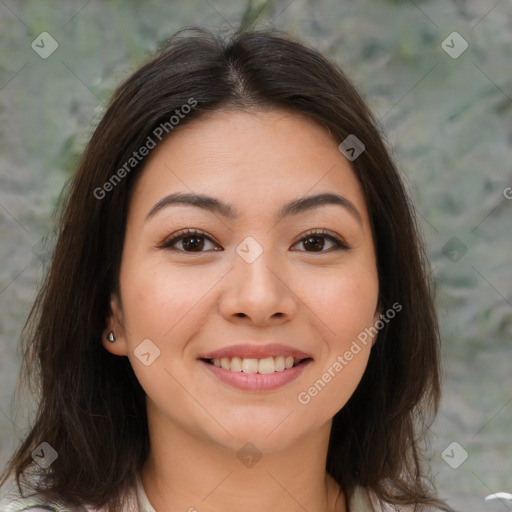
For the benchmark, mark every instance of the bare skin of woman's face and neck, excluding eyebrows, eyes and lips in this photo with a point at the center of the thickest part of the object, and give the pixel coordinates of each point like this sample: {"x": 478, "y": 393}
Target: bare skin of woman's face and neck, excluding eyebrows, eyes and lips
{"x": 189, "y": 303}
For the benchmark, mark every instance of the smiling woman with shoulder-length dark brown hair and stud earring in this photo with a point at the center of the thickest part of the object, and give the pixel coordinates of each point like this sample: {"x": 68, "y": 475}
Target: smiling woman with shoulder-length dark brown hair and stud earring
{"x": 237, "y": 312}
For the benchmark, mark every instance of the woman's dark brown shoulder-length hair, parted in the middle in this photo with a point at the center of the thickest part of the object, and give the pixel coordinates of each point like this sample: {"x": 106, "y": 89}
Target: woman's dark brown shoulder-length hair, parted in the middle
{"x": 92, "y": 408}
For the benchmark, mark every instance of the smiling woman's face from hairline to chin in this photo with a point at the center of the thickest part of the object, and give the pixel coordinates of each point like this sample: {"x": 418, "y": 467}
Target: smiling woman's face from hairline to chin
{"x": 276, "y": 276}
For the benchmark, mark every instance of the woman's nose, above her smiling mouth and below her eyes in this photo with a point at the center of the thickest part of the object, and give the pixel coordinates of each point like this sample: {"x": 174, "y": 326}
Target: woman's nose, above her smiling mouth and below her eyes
{"x": 258, "y": 292}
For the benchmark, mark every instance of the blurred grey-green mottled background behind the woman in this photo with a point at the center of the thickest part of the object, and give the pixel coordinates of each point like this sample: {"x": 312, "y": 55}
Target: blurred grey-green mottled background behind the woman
{"x": 447, "y": 121}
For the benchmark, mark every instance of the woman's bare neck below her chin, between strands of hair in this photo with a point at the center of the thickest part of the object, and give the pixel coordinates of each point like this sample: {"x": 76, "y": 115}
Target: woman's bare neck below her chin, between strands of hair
{"x": 188, "y": 474}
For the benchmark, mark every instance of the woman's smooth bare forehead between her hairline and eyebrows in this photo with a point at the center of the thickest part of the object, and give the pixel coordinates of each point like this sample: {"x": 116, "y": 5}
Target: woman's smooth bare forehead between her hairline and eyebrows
{"x": 254, "y": 159}
